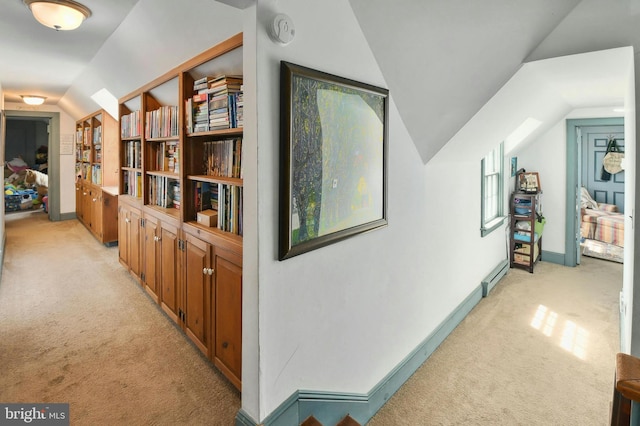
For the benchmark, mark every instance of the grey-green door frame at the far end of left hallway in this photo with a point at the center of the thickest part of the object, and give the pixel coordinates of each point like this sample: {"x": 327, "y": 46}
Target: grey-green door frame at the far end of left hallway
{"x": 53, "y": 154}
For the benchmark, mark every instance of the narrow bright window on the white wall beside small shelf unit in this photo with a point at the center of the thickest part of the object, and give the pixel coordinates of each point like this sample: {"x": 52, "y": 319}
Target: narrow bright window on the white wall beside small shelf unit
{"x": 492, "y": 191}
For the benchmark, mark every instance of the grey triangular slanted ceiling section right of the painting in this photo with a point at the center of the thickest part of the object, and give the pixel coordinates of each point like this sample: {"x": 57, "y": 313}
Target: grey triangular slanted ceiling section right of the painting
{"x": 443, "y": 60}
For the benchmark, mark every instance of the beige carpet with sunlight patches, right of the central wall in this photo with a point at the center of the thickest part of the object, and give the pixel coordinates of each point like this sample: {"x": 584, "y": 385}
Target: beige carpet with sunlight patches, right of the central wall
{"x": 540, "y": 350}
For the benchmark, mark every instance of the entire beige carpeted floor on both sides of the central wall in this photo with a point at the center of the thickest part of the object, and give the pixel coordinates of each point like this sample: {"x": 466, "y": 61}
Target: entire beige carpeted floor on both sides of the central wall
{"x": 76, "y": 328}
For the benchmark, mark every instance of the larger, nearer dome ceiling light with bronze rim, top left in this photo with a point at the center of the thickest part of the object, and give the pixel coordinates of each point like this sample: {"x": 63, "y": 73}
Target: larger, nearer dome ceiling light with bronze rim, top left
{"x": 58, "y": 14}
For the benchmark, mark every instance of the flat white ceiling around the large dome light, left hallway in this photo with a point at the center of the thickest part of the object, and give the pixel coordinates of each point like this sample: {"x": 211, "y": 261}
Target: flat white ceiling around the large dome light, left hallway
{"x": 41, "y": 61}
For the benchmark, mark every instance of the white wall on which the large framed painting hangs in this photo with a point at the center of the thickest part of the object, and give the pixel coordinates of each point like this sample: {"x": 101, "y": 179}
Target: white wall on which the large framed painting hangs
{"x": 341, "y": 317}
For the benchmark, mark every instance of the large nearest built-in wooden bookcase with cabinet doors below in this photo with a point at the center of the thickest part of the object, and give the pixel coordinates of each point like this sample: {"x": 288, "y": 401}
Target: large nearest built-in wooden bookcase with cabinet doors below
{"x": 179, "y": 154}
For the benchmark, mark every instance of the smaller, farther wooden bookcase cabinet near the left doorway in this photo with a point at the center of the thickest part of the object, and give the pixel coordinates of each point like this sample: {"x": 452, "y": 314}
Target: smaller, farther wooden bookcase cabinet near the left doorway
{"x": 96, "y": 175}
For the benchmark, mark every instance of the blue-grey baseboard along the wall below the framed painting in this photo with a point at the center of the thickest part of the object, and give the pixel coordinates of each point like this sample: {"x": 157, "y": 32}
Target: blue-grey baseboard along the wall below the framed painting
{"x": 330, "y": 407}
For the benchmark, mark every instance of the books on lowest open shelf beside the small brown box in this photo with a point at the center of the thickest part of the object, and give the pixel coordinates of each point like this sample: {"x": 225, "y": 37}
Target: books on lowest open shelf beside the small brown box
{"x": 223, "y": 198}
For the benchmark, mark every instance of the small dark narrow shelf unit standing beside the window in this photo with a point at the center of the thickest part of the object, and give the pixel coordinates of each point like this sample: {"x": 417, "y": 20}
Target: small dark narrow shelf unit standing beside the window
{"x": 527, "y": 224}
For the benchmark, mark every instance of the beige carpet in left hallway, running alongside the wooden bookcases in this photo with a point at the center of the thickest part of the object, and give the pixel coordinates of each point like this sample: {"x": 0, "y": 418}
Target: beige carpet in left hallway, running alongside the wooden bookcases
{"x": 74, "y": 327}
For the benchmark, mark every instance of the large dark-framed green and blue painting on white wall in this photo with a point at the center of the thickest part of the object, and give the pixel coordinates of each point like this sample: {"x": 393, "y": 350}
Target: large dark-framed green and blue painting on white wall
{"x": 333, "y": 159}
